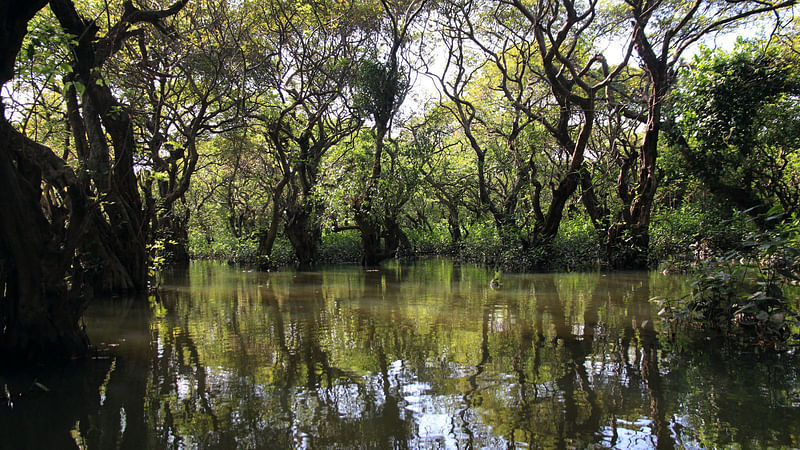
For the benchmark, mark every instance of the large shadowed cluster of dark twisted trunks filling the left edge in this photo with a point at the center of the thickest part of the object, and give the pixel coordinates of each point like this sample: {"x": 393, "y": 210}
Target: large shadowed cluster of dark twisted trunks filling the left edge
{"x": 52, "y": 228}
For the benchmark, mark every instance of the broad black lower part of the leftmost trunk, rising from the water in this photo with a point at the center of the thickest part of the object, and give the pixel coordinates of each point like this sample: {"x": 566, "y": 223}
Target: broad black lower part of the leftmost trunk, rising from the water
{"x": 38, "y": 313}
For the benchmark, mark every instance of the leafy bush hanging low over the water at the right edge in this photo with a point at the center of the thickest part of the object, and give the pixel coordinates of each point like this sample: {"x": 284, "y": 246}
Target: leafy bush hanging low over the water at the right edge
{"x": 746, "y": 292}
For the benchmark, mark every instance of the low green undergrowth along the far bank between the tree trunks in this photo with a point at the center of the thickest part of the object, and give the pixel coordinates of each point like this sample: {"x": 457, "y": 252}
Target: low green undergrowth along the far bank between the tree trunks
{"x": 680, "y": 238}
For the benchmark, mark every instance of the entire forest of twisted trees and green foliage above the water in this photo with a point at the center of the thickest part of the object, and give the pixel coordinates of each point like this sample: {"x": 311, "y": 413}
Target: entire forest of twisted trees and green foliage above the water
{"x": 524, "y": 135}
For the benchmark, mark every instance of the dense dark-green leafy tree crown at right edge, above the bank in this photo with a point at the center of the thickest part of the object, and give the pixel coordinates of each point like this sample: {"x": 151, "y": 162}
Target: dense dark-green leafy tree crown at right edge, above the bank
{"x": 735, "y": 124}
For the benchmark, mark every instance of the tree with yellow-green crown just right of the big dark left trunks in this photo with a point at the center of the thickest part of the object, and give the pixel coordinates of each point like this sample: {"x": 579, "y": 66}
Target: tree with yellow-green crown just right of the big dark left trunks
{"x": 191, "y": 81}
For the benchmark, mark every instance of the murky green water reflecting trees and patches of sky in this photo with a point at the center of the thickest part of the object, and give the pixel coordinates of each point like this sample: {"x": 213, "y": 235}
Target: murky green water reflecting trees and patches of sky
{"x": 409, "y": 356}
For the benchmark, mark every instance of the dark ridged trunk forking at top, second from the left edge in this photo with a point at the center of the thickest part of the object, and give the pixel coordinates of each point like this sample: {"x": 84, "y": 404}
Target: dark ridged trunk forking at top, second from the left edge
{"x": 124, "y": 264}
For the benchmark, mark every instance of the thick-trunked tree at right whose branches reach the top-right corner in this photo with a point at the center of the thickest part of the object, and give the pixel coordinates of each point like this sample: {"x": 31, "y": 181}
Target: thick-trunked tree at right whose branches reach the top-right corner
{"x": 662, "y": 32}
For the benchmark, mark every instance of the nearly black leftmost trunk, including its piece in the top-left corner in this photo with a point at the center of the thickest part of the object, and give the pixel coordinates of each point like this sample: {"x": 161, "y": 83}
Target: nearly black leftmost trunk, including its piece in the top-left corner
{"x": 39, "y": 311}
